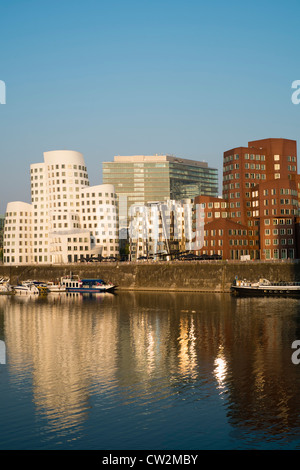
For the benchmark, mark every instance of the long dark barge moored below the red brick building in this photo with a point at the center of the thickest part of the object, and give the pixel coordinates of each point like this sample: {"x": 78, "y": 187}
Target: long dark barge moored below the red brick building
{"x": 264, "y": 287}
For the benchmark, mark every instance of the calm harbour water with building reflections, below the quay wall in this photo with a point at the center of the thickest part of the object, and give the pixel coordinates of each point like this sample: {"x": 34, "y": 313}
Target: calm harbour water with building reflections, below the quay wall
{"x": 149, "y": 371}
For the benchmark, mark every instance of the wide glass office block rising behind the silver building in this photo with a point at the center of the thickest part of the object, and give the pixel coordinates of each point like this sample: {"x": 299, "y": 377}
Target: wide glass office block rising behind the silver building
{"x": 140, "y": 179}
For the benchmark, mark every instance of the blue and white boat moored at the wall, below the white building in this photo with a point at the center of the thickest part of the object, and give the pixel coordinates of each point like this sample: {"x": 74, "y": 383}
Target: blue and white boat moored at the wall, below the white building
{"x": 86, "y": 286}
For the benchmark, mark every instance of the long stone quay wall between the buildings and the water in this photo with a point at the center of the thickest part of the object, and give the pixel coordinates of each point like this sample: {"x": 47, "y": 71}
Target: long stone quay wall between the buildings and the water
{"x": 162, "y": 276}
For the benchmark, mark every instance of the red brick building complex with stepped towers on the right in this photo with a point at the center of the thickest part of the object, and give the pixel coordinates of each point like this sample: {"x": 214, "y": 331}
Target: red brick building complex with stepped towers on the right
{"x": 258, "y": 213}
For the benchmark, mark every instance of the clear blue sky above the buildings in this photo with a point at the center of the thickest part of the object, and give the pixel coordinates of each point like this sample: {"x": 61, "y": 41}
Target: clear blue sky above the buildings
{"x": 189, "y": 78}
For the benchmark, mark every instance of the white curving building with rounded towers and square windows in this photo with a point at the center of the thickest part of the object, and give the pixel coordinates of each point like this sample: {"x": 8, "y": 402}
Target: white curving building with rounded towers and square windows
{"x": 67, "y": 218}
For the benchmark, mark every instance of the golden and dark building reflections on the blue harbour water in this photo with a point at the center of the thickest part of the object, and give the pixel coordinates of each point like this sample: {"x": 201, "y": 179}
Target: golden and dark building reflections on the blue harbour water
{"x": 151, "y": 347}
